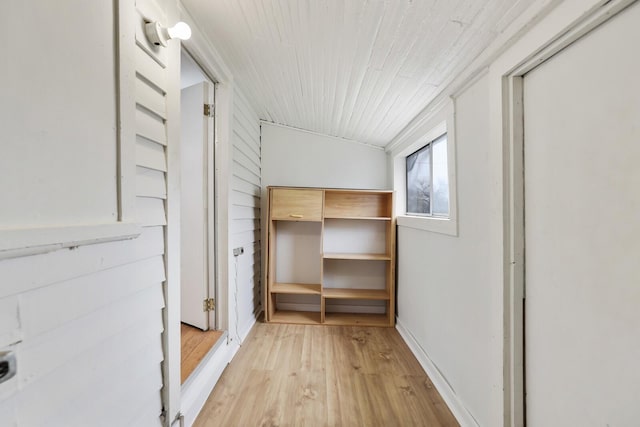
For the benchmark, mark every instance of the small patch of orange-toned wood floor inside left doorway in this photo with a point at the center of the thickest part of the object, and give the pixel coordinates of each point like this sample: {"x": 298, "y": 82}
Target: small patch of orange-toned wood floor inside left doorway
{"x": 195, "y": 344}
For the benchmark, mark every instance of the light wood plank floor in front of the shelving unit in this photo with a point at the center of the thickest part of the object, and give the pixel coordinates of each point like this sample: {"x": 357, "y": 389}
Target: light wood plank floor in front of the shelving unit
{"x": 296, "y": 375}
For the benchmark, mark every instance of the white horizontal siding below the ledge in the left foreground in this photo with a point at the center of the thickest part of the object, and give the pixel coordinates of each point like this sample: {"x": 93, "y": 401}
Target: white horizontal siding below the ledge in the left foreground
{"x": 88, "y": 323}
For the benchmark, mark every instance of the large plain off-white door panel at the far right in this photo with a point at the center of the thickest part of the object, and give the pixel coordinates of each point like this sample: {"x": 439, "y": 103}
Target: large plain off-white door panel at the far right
{"x": 582, "y": 216}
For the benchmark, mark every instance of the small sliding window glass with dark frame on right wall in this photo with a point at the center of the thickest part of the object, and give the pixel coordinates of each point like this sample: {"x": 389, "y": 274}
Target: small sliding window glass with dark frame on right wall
{"x": 427, "y": 180}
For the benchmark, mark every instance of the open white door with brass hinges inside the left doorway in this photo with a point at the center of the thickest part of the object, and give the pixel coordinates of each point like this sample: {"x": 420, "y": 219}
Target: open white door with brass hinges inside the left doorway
{"x": 197, "y": 222}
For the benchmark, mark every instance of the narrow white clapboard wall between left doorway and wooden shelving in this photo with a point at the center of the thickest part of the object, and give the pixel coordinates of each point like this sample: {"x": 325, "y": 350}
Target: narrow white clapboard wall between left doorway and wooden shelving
{"x": 245, "y": 278}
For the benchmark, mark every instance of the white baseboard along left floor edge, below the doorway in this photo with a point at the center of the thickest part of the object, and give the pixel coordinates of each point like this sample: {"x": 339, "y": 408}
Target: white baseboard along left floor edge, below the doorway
{"x": 197, "y": 388}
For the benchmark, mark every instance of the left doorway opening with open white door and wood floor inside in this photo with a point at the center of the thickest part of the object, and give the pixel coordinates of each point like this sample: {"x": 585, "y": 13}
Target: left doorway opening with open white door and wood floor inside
{"x": 199, "y": 332}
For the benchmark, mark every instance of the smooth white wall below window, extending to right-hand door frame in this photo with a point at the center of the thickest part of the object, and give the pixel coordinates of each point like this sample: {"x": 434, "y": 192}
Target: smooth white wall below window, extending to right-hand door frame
{"x": 444, "y": 289}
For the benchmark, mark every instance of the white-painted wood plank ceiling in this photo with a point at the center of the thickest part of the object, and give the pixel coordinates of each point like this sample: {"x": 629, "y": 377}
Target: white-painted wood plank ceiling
{"x": 357, "y": 69}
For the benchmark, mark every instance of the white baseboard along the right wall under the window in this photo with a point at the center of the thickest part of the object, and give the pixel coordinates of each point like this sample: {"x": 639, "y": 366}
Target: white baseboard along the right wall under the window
{"x": 448, "y": 395}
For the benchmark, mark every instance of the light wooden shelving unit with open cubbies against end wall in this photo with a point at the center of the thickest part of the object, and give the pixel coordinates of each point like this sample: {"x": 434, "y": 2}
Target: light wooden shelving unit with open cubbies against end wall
{"x": 357, "y": 229}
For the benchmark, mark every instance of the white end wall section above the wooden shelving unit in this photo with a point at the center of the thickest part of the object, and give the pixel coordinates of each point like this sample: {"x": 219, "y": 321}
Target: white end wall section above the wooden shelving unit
{"x": 291, "y": 157}
